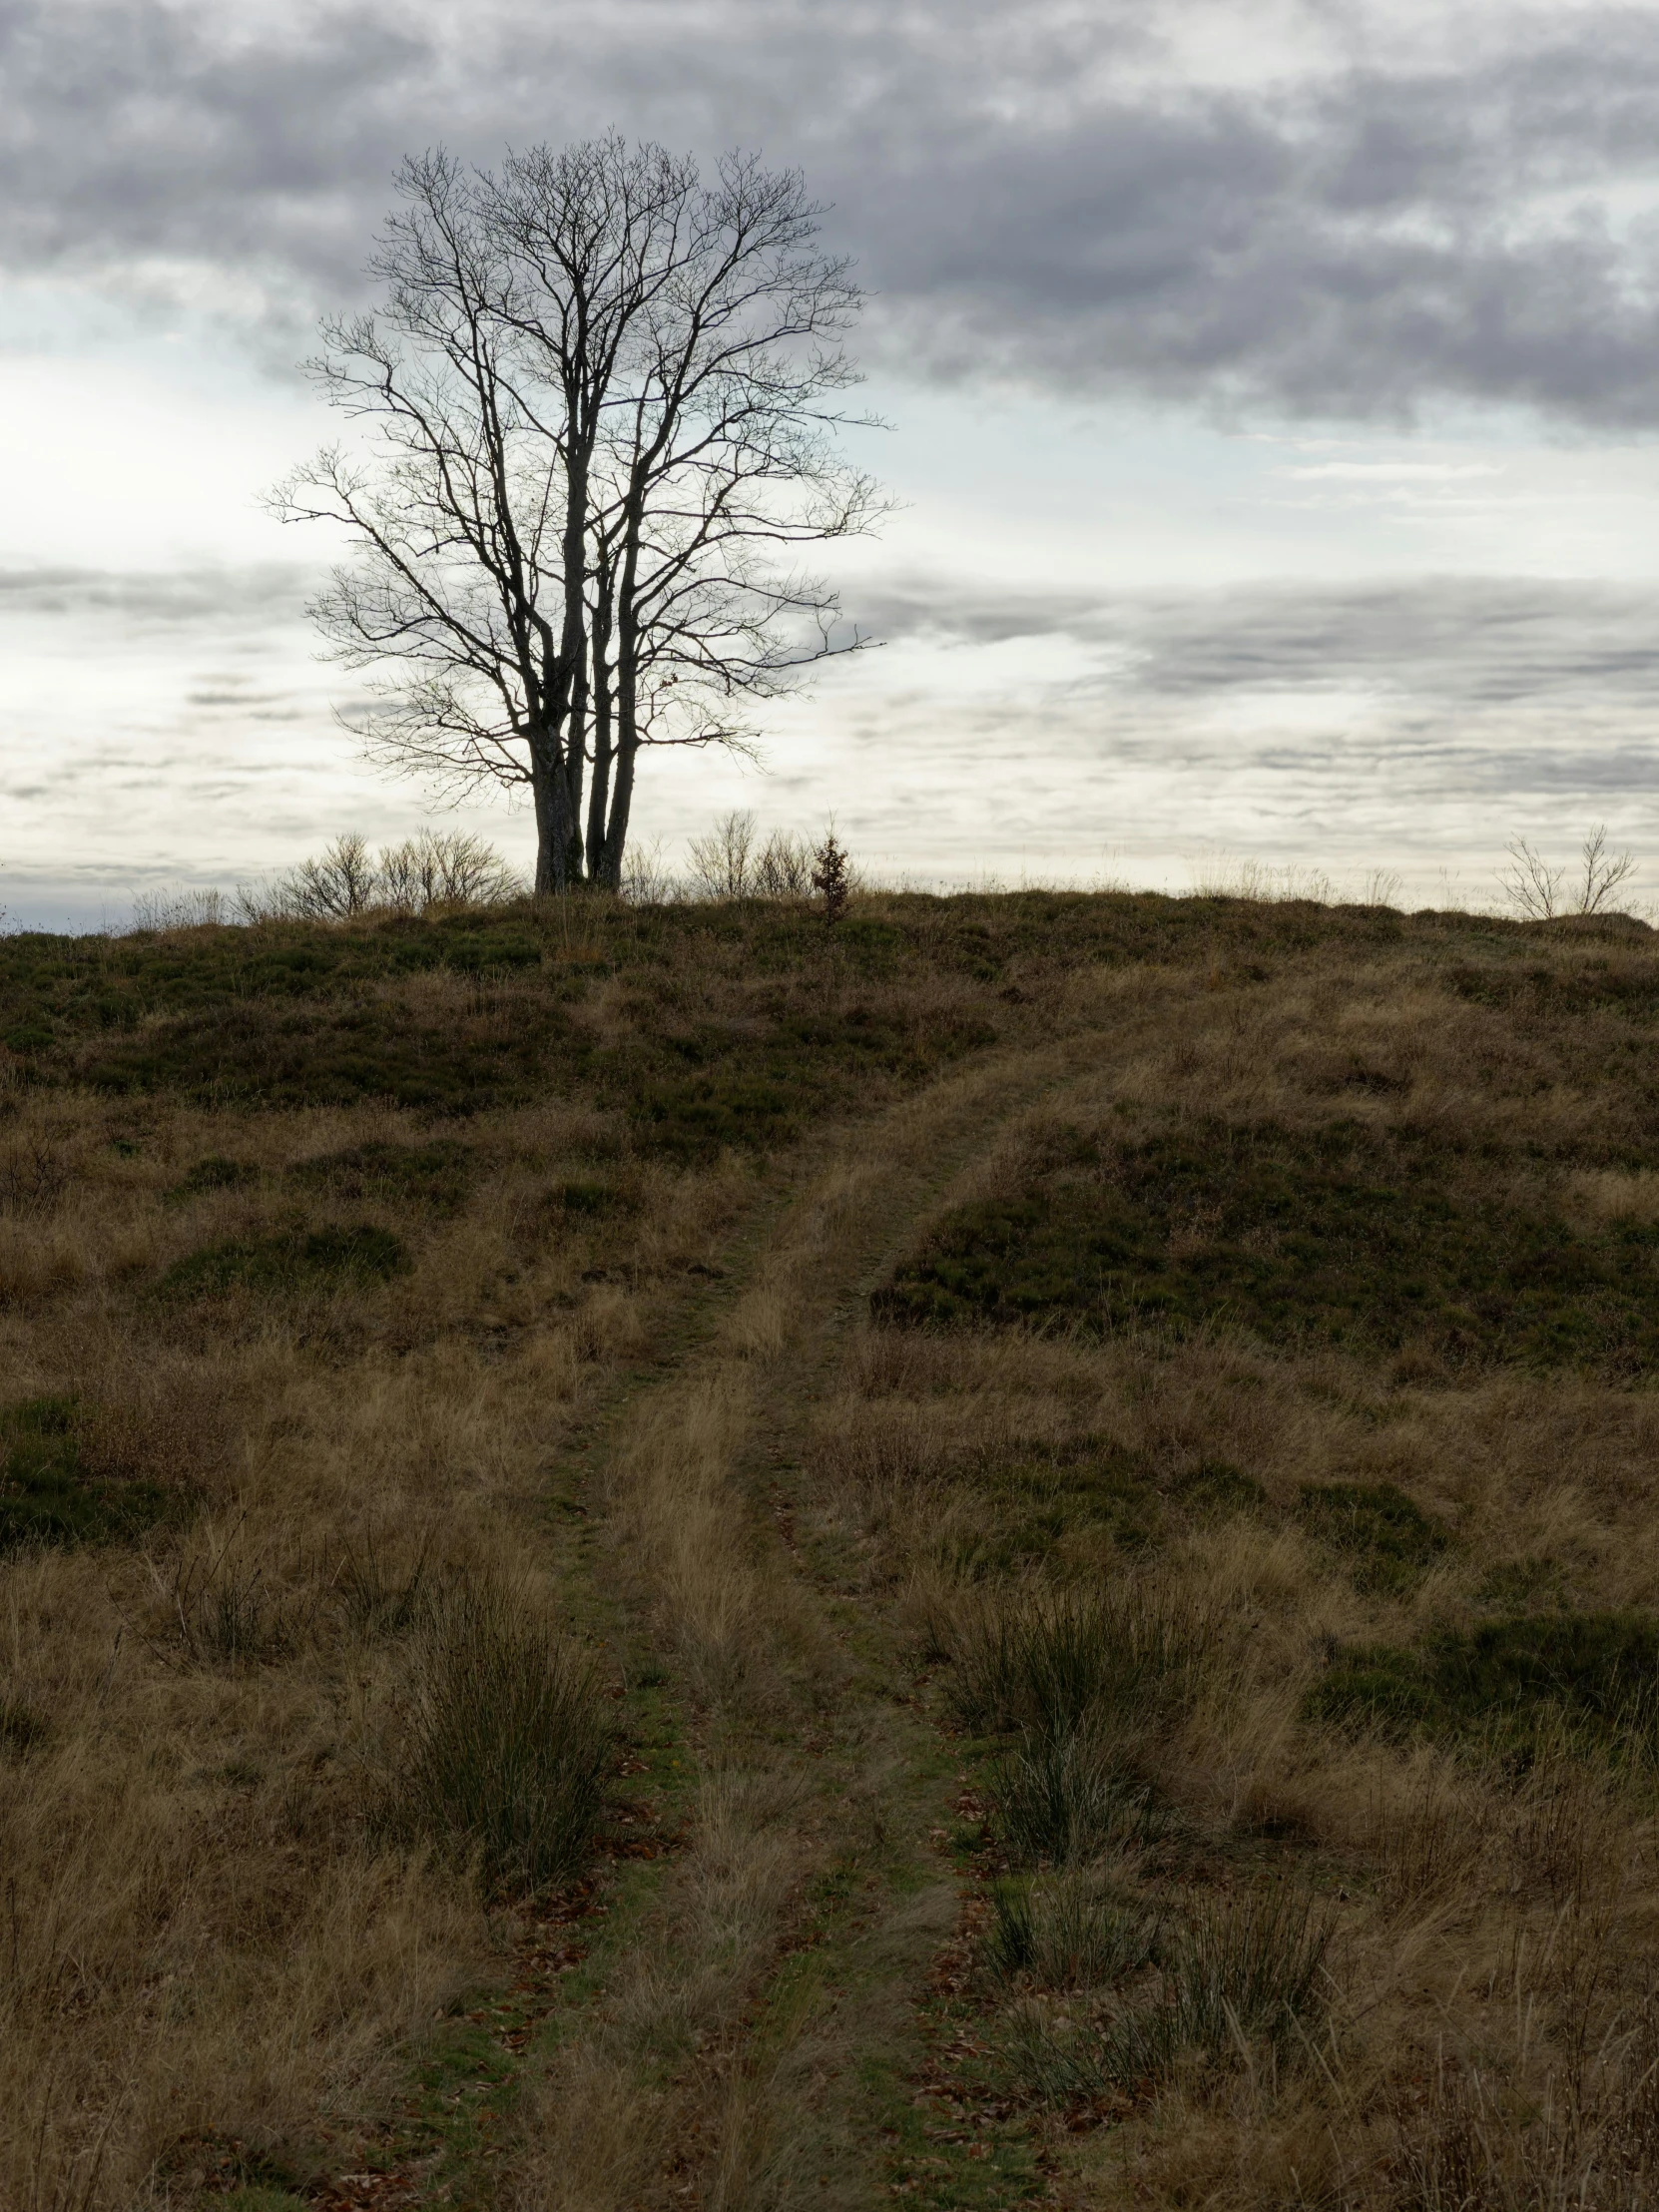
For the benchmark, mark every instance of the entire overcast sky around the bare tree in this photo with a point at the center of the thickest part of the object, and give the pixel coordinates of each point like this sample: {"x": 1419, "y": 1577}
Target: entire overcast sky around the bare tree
{"x": 1273, "y": 406}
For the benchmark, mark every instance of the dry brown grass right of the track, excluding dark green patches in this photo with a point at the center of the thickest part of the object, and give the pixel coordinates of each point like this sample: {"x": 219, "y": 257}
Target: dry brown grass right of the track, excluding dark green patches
{"x": 1488, "y": 2036}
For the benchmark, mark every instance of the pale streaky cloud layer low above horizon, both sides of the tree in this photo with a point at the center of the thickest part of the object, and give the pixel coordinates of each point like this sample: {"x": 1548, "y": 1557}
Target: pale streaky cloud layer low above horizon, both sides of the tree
{"x": 1417, "y": 724}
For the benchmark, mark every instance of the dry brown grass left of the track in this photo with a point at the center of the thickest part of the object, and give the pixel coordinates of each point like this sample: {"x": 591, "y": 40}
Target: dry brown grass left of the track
{"x": 207, "y": 1941}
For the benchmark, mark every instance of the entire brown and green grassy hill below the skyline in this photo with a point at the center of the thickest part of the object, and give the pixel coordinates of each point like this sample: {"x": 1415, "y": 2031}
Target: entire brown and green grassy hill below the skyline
{"x": 999, "y": 1556}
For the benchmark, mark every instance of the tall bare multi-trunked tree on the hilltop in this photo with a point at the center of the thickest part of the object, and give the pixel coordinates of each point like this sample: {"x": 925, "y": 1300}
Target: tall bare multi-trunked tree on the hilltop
{"x": 596, "y": 419}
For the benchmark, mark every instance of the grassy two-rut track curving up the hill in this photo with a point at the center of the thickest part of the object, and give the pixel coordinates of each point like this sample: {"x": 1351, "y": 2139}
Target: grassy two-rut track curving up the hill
{"x": 758, "y": 2036}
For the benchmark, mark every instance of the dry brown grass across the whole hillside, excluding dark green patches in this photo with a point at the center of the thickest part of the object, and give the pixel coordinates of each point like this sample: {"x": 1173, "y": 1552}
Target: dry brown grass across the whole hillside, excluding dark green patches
{"x": 207, "y": 1932}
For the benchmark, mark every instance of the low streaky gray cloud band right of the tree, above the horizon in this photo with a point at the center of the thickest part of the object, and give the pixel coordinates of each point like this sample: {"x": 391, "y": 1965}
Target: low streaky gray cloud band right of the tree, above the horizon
{"x": 1404, "y": 716}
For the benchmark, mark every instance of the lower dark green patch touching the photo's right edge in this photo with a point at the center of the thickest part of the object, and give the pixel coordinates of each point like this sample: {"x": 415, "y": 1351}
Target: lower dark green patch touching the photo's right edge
{"x": 1594, "y": 1673}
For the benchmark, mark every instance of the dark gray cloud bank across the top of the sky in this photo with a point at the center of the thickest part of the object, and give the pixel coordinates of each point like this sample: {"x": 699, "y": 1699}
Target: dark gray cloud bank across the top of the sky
{"x": 1032, "y": 196}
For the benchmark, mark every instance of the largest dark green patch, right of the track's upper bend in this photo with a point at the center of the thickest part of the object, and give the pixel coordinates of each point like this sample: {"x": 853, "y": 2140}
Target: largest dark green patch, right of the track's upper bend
{"x": 1342, "y": 1235}
